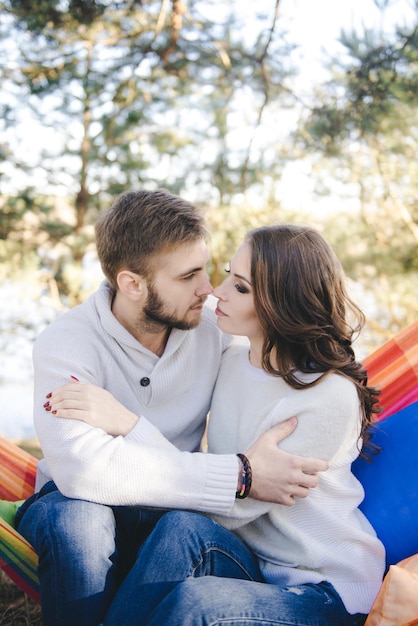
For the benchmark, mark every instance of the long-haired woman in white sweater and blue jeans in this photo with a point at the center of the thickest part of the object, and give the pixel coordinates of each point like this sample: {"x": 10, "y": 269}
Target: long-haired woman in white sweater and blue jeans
{"x": 323, "y": 562}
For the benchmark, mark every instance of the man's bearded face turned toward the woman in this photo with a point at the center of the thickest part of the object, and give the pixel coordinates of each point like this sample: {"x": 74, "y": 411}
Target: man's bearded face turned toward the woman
{"x": 179, "y": 287}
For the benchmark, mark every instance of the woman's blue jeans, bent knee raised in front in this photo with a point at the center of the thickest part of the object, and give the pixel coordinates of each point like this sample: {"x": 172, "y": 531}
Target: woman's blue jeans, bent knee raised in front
{"x": 193, "y": 572}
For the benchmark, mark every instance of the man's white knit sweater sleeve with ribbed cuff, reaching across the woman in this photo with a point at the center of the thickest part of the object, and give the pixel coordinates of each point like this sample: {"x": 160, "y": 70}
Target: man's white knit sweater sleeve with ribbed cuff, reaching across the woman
{"x": 143, "y": 468}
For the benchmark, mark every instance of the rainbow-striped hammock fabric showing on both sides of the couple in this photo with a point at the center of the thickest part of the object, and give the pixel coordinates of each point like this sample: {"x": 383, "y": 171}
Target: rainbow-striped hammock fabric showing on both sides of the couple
{"x": 393, "y": 368}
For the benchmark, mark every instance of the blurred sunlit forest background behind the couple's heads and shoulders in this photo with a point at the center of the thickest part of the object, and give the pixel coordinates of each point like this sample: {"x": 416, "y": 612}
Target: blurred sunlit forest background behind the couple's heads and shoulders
{"x": 207, "y": 99}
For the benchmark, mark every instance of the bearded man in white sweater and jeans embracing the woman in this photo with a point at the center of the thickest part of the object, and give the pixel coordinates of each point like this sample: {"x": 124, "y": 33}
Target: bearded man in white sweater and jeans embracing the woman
{"x": 147, "y": 338}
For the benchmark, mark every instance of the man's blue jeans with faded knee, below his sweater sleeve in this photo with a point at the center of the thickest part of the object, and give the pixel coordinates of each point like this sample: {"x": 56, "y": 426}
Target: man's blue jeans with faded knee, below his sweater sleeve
{"x": 84, "y": 549}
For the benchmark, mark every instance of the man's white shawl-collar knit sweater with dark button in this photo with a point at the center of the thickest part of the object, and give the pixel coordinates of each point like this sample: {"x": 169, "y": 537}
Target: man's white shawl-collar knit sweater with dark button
{"x": 143, "y": 467}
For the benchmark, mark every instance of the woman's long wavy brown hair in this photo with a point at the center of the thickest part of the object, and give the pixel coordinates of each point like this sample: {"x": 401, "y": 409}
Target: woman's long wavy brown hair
{"x": 302, "y": 304}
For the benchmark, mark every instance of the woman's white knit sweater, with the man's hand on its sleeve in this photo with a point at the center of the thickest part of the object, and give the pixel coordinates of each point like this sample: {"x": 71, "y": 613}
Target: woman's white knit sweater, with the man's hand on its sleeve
{"x": 323, "y": 536}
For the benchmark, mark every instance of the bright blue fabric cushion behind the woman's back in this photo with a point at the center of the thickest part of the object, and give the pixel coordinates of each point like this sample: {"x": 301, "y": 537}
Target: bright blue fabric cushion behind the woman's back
{"x": 390, "y": 482}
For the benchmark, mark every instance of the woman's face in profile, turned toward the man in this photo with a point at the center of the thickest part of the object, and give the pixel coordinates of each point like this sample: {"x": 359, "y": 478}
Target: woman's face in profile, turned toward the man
{"x": 235, "y": 311}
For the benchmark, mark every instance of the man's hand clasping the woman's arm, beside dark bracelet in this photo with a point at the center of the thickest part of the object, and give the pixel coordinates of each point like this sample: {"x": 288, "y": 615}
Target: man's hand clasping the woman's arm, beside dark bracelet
{"x": 278, "y": 476}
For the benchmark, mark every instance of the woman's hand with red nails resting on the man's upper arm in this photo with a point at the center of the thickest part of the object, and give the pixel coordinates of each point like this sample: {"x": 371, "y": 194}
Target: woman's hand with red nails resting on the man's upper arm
{"x": 93, "y": 405}
